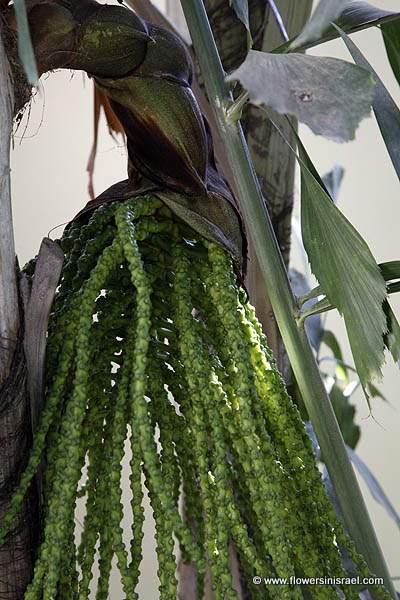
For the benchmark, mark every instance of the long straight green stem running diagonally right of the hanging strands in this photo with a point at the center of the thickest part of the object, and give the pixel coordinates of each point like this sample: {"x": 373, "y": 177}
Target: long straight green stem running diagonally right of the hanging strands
{"x": 277, "y": 286}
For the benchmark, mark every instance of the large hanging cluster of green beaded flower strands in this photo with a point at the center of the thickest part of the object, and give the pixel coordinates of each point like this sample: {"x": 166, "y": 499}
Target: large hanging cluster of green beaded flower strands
{"x": 153, "y": 343}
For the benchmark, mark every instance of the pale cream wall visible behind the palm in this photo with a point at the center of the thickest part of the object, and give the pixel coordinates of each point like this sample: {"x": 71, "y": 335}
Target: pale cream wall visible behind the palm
{"x": 50, "y": 186}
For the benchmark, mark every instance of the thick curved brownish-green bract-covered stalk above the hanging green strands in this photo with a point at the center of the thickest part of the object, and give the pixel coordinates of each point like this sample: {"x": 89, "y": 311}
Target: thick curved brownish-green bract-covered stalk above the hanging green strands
{"x": 146, "y": 73}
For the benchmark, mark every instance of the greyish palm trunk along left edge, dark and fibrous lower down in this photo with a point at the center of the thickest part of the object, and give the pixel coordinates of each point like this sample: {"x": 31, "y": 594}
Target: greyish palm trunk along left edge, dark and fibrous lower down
{"x": 16, "y": 555}
